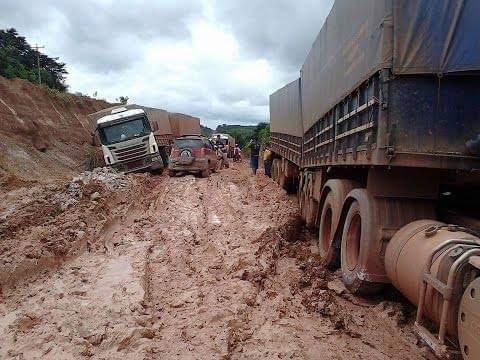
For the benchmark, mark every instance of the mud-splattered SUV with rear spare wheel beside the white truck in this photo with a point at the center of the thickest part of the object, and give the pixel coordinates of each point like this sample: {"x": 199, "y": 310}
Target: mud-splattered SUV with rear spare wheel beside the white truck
{"x": 193, "y": 154}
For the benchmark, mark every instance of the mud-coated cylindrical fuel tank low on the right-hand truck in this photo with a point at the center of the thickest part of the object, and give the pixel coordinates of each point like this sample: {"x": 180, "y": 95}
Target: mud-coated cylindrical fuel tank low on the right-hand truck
{"x": 428, "y": 241}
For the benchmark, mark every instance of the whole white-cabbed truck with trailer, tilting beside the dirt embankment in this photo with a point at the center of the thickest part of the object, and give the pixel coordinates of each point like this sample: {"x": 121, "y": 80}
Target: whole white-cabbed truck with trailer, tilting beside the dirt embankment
{"x": 131, "y": 150}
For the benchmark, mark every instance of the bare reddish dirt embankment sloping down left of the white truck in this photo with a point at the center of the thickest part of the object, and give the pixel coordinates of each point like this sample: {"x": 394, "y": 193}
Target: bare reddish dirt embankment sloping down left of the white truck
{"x": 43, "y": 133}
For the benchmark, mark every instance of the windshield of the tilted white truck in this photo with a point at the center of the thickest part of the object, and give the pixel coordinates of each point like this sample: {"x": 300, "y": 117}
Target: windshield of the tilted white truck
{"x": 125, "y": 131}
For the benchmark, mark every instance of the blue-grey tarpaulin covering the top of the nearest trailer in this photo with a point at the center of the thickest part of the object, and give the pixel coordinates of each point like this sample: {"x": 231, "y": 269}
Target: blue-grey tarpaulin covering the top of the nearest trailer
{"x": 360, "y": 37}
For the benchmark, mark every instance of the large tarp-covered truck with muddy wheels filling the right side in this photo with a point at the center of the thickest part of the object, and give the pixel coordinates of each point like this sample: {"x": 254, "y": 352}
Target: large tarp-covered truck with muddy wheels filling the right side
{"x": 379, "y": 137}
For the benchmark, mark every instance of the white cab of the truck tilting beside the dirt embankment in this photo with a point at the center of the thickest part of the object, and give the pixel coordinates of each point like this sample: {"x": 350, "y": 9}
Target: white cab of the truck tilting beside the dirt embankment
{"x": 127, "y": 140}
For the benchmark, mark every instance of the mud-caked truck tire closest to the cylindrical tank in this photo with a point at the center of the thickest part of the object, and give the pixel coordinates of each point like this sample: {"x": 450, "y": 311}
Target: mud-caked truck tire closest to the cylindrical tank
{"x": 358, "y": 226}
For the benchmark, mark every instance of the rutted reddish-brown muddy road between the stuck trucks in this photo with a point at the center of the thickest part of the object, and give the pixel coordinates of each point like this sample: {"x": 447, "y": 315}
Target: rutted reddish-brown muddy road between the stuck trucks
{"x": 141, "y": 267}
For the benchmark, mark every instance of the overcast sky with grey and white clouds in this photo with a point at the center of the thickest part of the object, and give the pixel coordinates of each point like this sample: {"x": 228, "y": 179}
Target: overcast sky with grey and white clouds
{"x": 216, "y": 59}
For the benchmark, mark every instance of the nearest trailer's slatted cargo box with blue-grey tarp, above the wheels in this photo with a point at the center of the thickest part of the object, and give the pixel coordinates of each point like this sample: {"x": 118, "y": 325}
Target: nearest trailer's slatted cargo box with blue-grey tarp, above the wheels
{"x": 390, "y": 79}
